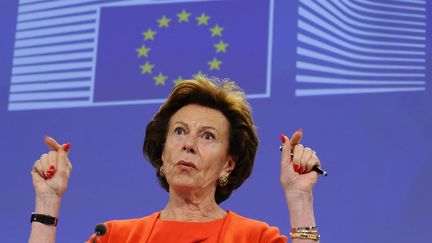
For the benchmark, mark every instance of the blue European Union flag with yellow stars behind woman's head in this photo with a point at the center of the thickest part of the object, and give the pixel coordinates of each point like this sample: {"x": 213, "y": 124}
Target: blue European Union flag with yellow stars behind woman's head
{"x": 144, "y": 50}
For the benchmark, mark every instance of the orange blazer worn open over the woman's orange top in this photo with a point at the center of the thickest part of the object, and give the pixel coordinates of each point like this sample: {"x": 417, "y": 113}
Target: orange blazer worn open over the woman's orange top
{"x": 235, "y": 229}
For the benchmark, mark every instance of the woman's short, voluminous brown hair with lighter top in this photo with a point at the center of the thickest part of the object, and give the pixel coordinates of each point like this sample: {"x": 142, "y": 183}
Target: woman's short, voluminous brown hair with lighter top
{"x": 224, "y": 96}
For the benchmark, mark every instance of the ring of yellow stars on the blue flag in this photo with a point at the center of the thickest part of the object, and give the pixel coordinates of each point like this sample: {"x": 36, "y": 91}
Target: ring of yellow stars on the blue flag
{"x": 164, "y": 22}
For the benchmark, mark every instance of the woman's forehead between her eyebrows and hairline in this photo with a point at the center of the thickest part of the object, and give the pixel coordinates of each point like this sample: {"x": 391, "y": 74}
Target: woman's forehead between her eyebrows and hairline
{"x": 197, "y": 115}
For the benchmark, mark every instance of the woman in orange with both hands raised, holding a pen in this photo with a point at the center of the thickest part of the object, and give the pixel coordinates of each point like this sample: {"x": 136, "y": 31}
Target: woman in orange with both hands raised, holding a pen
{"x": 202, "y": 143}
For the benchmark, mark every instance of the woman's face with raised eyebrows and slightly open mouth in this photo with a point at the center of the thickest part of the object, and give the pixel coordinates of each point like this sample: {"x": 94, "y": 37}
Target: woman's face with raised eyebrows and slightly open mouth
{"x": 195, "y": 154}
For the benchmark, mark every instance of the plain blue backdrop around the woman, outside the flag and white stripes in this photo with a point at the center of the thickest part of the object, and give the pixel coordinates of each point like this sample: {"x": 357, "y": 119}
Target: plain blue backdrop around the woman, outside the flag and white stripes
{"x": 376, "y": 148}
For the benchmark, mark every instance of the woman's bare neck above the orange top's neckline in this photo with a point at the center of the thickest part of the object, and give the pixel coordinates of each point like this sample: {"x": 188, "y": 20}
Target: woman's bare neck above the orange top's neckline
{"x": 192, "y": 206}
